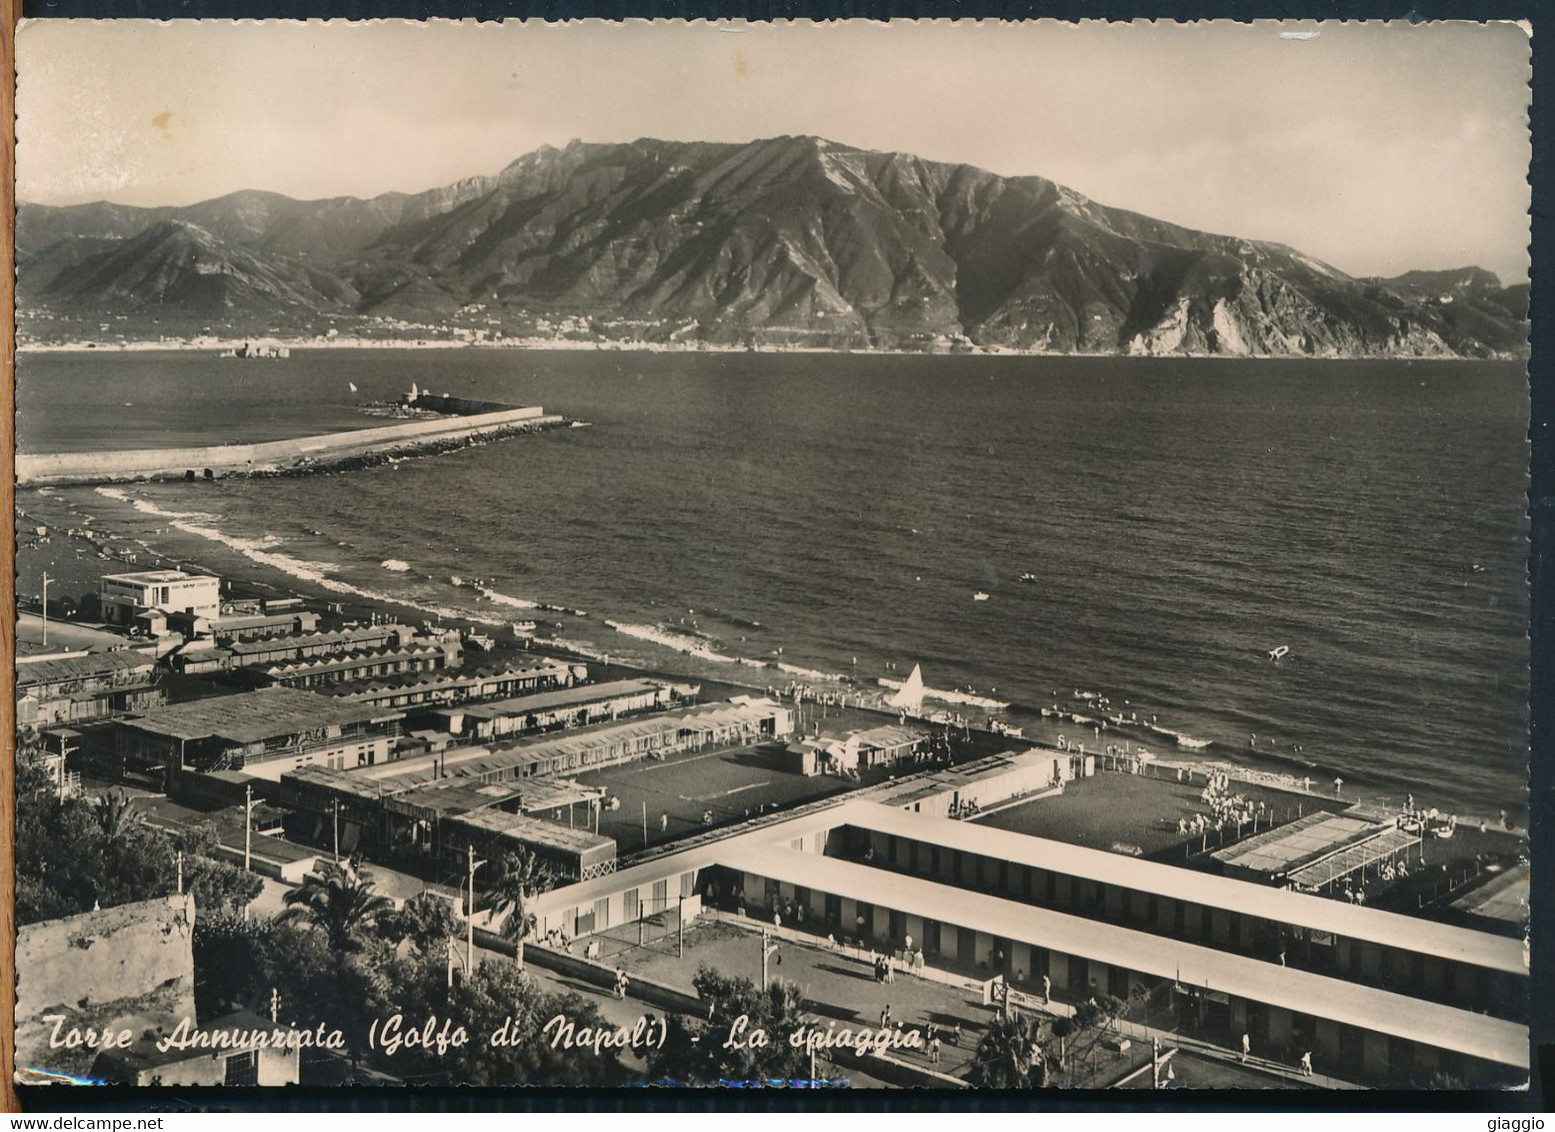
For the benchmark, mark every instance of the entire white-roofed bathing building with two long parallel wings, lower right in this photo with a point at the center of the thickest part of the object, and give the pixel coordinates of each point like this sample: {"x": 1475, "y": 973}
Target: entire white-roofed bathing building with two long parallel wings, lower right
{"x": 973, "y": 917}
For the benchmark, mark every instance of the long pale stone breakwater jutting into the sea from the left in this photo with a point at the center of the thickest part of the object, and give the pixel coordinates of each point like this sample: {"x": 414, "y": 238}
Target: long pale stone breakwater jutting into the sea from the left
{"x": 273, "y": 456}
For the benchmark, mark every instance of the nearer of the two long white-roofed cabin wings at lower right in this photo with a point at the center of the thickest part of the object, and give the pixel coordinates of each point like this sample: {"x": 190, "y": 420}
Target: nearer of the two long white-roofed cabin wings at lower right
{"x": 1354, "y": 1030}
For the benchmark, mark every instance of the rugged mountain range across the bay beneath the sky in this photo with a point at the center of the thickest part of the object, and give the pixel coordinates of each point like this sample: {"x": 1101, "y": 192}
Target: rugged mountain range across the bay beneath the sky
{"x": 783, "y": 242}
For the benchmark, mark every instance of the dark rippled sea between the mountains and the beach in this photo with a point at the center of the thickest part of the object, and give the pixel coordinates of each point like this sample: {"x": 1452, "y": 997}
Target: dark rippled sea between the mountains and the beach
{"x": 1181, "y": 519}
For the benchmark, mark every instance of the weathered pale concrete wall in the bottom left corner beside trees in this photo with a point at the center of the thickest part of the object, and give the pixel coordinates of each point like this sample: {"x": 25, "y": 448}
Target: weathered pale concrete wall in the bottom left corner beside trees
{"x": 99, "y": 970}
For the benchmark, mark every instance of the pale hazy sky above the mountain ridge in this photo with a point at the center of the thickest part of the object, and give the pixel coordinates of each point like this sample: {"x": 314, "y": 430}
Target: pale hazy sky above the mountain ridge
{"x": 1374, "y": 147}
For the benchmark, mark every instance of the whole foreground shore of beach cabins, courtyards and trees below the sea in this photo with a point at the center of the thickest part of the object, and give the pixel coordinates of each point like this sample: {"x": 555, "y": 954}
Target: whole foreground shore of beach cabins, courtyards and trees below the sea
{"x": 304, "y": 817}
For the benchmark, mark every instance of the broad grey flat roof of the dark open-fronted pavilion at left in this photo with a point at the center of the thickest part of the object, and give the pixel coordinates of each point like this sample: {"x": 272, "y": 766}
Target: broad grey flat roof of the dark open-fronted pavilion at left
{"x": 253, "y": 718}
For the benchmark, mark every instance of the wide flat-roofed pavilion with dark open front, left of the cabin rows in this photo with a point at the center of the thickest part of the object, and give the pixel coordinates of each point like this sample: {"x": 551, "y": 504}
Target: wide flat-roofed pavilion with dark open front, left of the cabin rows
{"x": 264, "y": 733}
